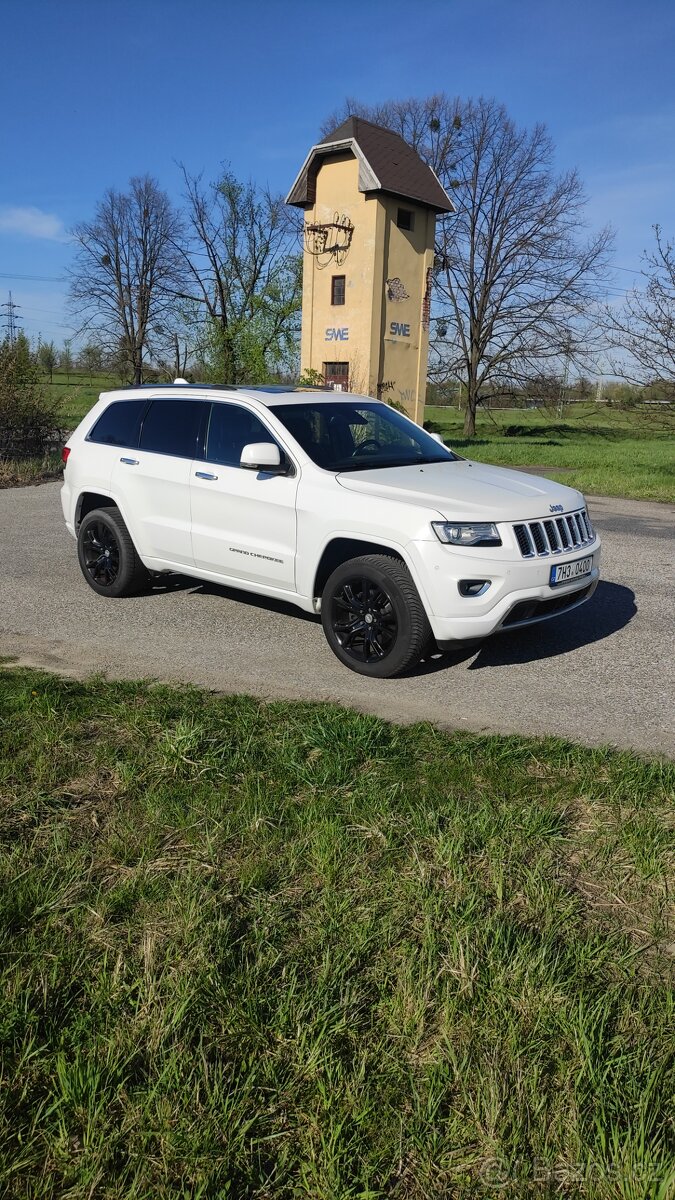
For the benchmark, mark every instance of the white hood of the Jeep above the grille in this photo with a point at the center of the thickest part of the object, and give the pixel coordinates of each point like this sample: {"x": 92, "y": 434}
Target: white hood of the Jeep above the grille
{"x": 463, "y": 489}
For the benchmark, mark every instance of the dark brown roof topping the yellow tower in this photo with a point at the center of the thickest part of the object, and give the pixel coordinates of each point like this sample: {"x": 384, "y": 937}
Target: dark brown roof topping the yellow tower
{"x": 391, "y": 165}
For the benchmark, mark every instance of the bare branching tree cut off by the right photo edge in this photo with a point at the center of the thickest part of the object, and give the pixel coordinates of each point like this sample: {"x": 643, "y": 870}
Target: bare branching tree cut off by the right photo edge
{"x": 643, "y": 331}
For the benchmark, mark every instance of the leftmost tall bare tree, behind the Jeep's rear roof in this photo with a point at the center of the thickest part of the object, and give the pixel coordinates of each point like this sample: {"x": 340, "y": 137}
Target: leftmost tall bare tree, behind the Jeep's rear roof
{"x": 127, "y": 271}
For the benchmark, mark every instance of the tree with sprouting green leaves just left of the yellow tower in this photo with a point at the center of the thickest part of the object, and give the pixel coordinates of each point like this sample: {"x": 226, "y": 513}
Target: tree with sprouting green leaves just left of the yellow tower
{"x": 246, "y": 275}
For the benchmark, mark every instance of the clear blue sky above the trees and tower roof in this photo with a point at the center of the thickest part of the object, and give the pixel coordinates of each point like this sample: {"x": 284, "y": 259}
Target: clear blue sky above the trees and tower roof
{"x": 94, "y": 92}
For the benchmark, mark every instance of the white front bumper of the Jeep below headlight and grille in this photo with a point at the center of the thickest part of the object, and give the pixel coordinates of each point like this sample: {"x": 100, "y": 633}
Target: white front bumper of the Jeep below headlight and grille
{"x": 519, "y": 591}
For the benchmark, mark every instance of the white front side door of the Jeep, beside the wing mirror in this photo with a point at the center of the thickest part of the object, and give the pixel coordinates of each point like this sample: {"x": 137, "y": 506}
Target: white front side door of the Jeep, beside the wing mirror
{"x": 243, "y": 520}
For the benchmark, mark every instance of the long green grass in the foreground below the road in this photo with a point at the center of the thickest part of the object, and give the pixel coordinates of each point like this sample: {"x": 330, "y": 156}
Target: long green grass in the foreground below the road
{"x": 284, "y": 951}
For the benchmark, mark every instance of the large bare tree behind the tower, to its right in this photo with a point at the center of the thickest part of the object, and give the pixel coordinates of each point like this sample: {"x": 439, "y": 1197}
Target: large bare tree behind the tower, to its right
{"x": 516, "y": 284}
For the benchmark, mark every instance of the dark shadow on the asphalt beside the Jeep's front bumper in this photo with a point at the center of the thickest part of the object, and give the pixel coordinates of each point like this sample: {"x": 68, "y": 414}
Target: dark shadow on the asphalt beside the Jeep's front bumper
{"x": 610, "y": 610}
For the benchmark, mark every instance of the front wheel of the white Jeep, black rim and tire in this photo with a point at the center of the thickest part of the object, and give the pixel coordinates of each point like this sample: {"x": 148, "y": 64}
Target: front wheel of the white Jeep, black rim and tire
{"x": 373, "y": 617}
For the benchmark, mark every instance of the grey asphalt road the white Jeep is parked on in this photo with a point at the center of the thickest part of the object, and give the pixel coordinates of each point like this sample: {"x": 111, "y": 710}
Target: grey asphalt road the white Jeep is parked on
{"x": 605, "y": 674}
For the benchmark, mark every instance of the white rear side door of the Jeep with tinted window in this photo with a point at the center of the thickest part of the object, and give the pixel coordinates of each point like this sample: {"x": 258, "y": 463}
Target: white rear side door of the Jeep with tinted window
{"x": 153, "y": 483}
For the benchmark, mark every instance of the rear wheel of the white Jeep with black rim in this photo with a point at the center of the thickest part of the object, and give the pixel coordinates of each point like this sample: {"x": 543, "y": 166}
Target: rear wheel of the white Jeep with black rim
{"x": 107, "y": 555}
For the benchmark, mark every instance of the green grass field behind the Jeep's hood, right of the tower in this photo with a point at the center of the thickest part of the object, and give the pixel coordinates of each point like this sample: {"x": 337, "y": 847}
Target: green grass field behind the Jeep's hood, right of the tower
{"x": 602, "y": 451}
